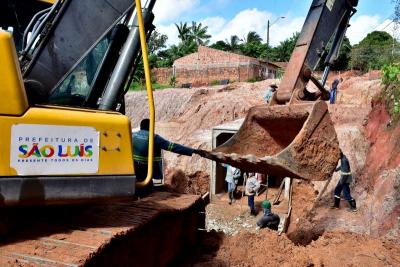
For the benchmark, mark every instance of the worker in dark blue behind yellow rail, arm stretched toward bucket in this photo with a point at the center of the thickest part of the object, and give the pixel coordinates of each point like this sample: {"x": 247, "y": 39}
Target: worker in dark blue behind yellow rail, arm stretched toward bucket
{"x": 140, "y": 141}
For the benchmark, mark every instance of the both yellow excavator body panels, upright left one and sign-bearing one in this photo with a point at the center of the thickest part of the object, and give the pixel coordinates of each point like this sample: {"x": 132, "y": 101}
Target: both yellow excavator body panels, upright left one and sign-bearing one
{"x": 112, "y": 129}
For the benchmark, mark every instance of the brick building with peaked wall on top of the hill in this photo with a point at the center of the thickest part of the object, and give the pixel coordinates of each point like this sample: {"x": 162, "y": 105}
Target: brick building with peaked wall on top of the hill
{"x": 210, "y": 66}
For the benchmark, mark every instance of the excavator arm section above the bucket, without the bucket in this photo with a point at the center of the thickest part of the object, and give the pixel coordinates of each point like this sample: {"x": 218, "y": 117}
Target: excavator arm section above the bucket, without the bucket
{"x": 326, "y": 21}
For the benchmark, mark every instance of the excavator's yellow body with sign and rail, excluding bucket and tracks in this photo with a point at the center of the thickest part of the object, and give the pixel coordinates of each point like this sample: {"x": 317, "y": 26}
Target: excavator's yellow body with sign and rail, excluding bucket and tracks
{"x": 63, "y": 135}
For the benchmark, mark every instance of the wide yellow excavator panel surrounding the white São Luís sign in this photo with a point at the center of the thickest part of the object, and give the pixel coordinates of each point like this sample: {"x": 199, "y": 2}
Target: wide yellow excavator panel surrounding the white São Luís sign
{"x": 114, "y": 131}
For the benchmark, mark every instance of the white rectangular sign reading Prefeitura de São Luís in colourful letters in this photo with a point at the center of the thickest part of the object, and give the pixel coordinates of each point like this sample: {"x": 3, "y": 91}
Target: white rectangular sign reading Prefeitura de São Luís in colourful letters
{"x": 54, "y": 149}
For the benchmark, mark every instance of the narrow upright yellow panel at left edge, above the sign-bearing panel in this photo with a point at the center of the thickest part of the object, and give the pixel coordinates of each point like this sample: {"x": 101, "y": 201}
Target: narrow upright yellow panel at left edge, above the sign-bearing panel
{"x": 13, "y": 100}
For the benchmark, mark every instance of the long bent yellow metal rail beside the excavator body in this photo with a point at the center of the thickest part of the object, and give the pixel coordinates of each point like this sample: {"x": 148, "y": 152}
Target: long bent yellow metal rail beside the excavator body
{"x": 149, "y": 95}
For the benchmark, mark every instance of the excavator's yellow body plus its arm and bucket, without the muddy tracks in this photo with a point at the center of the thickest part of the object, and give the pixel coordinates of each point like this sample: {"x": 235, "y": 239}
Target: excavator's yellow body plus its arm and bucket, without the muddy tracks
{"x": 64, "y": 137}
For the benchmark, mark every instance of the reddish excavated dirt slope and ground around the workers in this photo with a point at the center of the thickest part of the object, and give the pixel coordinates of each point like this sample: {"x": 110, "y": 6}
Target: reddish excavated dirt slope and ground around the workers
{"x": 317, "y": 235}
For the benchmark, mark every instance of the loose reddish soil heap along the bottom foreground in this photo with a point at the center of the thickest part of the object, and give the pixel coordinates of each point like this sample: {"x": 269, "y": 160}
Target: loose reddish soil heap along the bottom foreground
{"x": 268, "y": 249}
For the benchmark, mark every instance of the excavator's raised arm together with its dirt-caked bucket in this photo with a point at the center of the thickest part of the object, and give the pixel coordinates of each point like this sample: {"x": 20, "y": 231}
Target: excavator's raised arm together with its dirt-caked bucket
{"x": 293, "y": 136}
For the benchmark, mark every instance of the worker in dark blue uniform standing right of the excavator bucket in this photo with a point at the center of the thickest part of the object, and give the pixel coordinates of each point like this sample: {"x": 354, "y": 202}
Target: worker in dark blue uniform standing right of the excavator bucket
{"x": 344, "y": 184}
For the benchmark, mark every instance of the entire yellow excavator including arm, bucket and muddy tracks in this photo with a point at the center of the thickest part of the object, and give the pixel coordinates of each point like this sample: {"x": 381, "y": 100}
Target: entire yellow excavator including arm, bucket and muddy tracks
{"x": 64, "y": 137}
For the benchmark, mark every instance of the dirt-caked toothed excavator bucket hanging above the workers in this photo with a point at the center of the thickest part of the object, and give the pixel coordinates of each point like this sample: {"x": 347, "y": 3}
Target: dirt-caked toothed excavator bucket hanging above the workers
{"x": 297, "y": 141}
